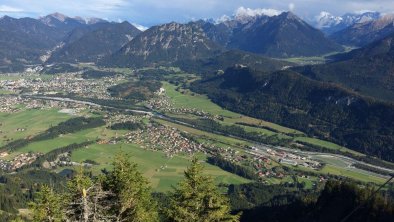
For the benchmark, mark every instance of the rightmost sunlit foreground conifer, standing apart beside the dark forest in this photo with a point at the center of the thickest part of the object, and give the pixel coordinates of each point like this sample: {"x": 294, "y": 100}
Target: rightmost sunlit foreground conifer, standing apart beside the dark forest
{"x": 197, "y": 199}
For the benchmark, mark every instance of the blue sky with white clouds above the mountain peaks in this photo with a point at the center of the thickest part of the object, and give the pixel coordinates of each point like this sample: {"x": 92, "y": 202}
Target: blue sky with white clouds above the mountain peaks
{"x": 151, "y": 12}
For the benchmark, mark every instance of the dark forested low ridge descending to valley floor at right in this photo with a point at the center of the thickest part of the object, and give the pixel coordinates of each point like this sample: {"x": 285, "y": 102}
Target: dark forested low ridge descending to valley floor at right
{"x": 316, "y": 108}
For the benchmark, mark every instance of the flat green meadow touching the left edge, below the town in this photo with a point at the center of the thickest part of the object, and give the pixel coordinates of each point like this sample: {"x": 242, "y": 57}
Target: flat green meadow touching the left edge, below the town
{"x": 33, "y": 121}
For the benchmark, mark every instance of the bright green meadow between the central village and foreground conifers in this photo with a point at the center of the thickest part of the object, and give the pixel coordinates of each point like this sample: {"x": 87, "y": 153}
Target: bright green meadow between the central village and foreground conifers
{"x": 161, "y": 171}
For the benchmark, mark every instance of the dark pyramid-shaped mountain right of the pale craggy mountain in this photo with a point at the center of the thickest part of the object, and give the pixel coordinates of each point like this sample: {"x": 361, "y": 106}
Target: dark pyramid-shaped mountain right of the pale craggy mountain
{"x": 284, "y": 35}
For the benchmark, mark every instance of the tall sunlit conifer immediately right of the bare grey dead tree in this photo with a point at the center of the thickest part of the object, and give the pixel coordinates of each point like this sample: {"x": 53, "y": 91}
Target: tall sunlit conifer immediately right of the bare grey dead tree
{"x": 132, "y": 200}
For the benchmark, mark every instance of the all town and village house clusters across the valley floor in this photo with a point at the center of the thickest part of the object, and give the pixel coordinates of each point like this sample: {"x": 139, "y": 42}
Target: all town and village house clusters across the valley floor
{"x": 153, "y": 136}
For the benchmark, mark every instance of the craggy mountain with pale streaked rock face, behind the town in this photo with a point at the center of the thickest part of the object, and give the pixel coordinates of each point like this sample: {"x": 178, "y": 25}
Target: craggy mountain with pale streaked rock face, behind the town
{"x": 165, "y": 44}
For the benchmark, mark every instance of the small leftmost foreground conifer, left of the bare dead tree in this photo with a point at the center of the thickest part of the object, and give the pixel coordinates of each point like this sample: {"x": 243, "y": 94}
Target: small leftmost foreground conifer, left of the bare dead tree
{"x": 48, "y": 206}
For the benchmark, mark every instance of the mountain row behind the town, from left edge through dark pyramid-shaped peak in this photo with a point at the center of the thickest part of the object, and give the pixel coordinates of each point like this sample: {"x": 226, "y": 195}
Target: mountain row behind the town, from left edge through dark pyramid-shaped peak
{"x": 57, "y": 38}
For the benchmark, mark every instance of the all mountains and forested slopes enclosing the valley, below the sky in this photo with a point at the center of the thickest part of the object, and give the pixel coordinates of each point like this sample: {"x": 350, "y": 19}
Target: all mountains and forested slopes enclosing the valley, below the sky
{"x": 243, "y": 65}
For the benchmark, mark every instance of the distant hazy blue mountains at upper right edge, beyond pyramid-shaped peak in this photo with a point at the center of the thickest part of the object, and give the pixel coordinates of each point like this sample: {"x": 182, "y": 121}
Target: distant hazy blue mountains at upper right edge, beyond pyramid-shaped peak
{"x": 361, "y": 34}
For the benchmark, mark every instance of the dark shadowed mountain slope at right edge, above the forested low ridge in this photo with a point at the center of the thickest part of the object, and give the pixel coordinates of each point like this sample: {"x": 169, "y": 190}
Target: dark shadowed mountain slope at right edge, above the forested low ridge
{"x": 368, "y": 70}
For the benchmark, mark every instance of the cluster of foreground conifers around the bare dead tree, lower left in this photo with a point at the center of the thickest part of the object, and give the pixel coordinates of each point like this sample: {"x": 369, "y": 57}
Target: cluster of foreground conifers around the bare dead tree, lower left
{"x": 122, "y": 194}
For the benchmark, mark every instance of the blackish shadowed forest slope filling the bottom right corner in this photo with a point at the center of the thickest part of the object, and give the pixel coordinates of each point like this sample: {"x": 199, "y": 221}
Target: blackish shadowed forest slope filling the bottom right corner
{"x": 338, "y": 199}
